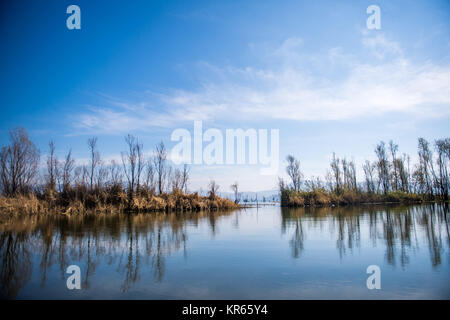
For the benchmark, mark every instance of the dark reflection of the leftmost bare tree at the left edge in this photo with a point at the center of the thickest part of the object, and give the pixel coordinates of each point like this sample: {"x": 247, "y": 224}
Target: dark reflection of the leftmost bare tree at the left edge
{"x": 15, "y": 269}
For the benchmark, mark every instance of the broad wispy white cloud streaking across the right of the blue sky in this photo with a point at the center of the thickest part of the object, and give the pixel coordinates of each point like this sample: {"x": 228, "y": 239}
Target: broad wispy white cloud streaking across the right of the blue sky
{"x": 298, "y": 86}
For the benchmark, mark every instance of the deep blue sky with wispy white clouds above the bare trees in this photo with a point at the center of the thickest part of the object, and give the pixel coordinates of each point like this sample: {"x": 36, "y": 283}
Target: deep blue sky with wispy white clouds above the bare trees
{"x": 310, "y": 69}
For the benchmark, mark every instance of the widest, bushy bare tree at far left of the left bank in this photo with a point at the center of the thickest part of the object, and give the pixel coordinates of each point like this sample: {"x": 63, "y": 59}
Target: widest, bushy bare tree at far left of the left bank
{"x": 18, "y": 163}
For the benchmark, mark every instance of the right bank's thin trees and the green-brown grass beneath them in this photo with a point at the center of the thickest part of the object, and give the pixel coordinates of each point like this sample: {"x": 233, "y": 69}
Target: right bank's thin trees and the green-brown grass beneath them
{"x": 390, "y": 178}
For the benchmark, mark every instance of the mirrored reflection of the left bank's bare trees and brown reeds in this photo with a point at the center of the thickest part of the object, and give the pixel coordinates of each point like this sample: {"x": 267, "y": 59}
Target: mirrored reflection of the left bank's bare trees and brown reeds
{"x": 125, "y": 240}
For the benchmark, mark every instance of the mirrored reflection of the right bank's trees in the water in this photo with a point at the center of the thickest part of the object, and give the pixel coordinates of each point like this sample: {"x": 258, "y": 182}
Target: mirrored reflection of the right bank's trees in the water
{"x": 396, "y": 226}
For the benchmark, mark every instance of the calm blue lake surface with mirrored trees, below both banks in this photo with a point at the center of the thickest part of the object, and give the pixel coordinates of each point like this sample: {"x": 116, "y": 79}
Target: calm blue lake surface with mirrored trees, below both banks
{"x": 265, "y": 253}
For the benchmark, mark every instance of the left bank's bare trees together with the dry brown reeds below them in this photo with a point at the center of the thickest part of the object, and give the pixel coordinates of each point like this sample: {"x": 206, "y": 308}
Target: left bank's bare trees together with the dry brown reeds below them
{"x": 135, "y": 176}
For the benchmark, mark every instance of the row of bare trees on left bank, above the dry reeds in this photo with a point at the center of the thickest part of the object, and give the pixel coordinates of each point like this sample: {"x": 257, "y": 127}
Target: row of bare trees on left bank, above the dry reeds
{"x": 20, "y": 164}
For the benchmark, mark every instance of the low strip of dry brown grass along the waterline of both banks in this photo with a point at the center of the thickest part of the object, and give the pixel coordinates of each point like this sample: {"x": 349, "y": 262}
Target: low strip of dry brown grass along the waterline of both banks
{"x": 173, "y": 202}
